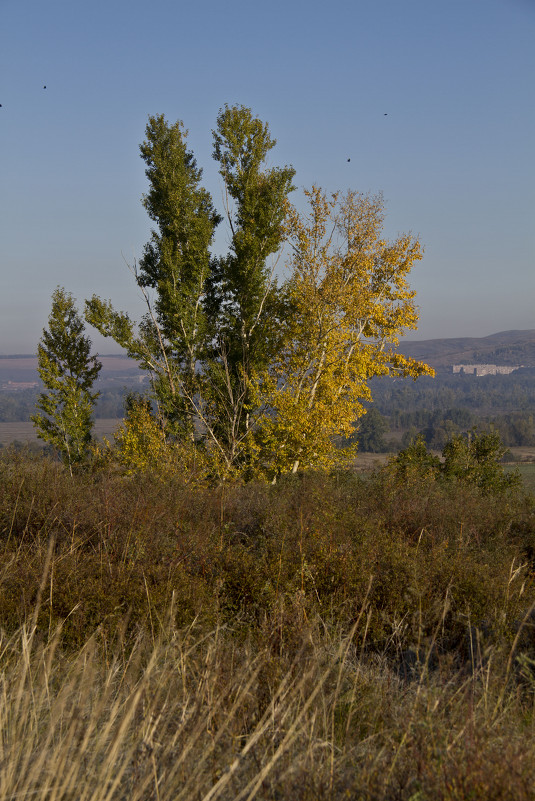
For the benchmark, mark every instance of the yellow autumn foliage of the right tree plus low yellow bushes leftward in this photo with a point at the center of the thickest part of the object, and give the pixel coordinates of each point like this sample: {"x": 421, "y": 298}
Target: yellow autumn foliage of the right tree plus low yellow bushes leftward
{"x": 349, "y": 302}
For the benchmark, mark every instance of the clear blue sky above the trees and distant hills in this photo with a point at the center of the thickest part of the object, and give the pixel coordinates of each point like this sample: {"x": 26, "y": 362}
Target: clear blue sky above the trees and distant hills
{"x": 431, "y": 100}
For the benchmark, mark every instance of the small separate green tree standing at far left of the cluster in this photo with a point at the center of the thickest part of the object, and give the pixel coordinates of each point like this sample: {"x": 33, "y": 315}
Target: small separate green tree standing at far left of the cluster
{"x": 68, "y": 372}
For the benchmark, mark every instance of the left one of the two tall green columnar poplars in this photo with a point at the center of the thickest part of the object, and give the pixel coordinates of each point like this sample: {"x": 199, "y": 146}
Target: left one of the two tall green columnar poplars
{"x": 176, "y": 260}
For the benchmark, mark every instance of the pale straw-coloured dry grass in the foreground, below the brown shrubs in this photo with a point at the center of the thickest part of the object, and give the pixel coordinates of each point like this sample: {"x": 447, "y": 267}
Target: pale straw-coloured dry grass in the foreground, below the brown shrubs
{"x": 195, "y": 715}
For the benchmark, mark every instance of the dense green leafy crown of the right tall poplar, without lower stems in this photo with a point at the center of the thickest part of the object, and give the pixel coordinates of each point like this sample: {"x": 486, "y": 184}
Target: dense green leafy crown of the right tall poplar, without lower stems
{"x": 242, "y": 288}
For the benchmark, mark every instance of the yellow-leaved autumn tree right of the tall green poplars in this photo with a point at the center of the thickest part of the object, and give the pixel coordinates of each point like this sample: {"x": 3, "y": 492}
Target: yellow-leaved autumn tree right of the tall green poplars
{"x": 350, "y": 303}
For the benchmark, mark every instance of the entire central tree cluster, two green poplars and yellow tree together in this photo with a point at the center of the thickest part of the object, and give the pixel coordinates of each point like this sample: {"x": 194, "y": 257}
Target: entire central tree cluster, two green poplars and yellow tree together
{"x": 261, "y": 377}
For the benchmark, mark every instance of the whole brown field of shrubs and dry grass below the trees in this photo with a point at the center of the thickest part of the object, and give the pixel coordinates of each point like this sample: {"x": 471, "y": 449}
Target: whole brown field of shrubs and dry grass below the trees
{"x": 328, "y": 638}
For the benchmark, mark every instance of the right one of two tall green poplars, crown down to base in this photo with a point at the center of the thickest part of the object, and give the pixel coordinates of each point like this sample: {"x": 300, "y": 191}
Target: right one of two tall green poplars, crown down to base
{"x": 244, "y": 303}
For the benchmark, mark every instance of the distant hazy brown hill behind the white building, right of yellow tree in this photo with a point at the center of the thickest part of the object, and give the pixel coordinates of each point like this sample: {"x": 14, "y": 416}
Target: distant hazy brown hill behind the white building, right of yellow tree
{"x": 504, "y": 348}
